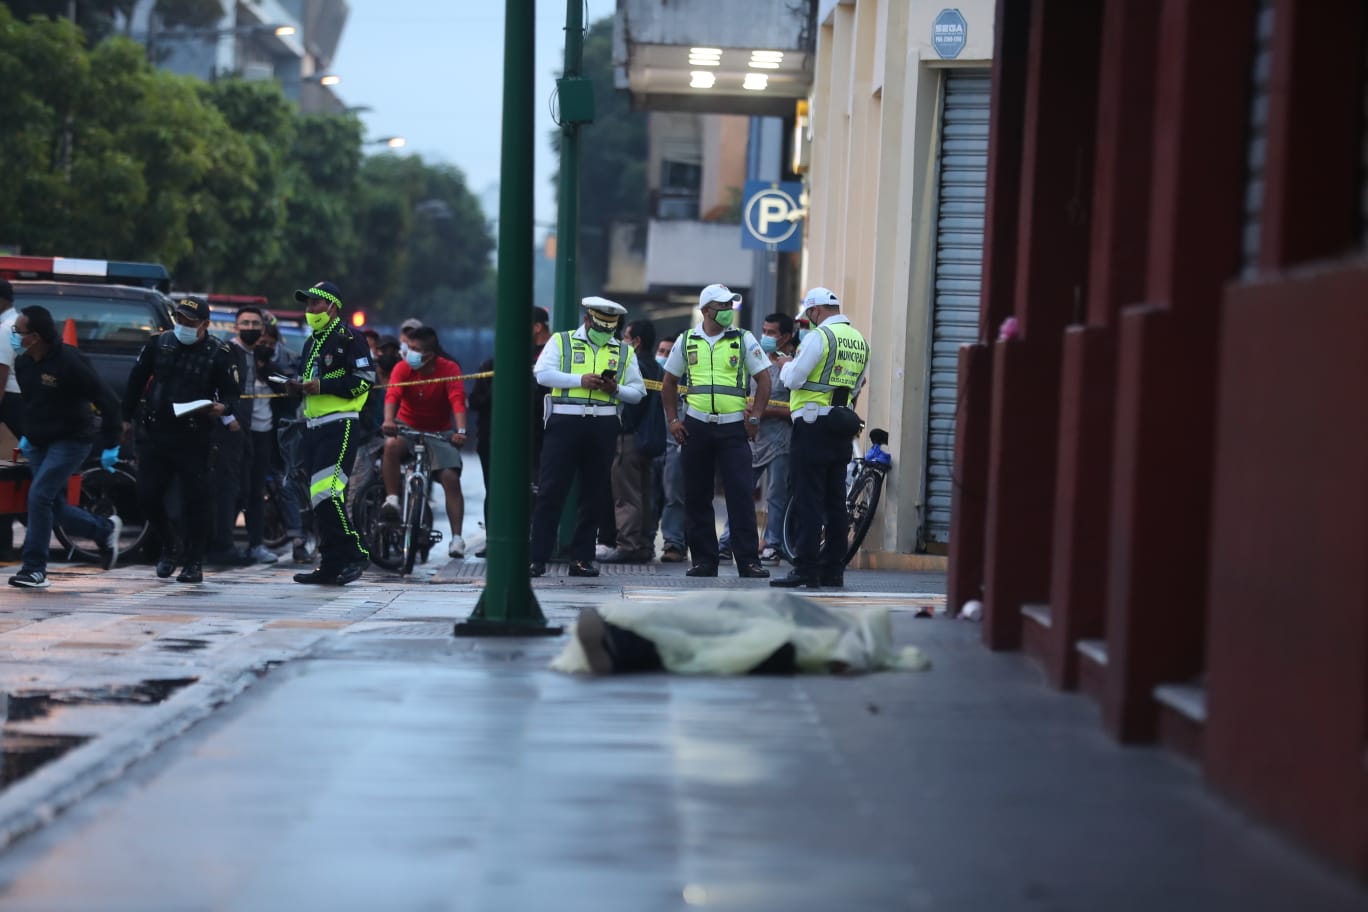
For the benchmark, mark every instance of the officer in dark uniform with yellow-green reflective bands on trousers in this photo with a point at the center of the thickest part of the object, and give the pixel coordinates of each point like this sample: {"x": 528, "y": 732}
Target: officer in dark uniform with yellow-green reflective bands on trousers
{"x": 334, "y": 381}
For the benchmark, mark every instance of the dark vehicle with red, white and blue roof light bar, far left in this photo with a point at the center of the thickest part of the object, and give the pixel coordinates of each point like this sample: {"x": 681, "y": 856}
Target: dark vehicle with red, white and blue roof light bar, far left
{"x": 116, "y": 307}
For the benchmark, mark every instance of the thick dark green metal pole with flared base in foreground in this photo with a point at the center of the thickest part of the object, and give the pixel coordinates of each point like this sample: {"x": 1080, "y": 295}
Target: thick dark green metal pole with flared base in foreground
{"x": 508, "y": 608}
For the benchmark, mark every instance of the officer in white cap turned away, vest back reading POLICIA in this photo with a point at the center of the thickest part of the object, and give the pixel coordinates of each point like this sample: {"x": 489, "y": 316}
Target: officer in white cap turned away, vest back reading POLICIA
{"x": 826, "y": 377}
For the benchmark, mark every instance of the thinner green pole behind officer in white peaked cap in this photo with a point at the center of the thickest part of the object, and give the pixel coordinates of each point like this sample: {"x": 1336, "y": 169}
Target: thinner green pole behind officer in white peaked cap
{"x": 566, "y": 314}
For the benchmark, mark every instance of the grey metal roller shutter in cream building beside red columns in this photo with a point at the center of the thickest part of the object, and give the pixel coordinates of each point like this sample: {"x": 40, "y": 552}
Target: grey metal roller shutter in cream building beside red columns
{"x": 960, "y": 260}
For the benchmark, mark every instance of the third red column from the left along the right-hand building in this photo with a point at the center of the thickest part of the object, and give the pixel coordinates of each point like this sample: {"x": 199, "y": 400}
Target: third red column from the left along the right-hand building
{"x": 1088, "y": 390}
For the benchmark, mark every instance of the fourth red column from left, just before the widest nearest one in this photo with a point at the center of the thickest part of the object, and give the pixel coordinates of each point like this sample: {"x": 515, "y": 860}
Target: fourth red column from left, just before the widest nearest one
{"x": 1168, "y": 360}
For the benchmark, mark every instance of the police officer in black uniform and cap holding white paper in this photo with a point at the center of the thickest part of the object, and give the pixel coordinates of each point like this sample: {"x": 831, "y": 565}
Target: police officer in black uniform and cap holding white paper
{"x": 183, "y": 366}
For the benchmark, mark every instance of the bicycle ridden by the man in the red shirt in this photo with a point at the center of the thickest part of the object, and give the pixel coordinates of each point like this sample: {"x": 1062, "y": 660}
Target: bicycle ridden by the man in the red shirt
{"x": 399, "y": 545}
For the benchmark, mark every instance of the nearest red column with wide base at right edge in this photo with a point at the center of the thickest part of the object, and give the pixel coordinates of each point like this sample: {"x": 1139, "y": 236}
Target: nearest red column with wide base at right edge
{"x": 1288, "y": 647}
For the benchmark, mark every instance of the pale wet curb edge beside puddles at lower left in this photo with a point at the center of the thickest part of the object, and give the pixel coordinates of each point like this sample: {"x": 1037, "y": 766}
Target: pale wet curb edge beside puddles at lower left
{"x": 39, "y": 799}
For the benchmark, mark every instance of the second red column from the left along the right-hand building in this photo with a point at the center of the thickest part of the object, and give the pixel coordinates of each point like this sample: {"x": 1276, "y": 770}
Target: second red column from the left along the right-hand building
{"x": 1051, "y": 289}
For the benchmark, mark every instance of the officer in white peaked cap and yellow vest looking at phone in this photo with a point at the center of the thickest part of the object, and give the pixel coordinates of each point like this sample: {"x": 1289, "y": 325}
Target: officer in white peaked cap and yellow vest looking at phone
{"x": 590, "y": 374}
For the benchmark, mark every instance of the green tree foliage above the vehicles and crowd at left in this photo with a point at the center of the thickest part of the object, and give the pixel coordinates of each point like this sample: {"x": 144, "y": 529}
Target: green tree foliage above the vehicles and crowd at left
{"x": 225, "y": 184}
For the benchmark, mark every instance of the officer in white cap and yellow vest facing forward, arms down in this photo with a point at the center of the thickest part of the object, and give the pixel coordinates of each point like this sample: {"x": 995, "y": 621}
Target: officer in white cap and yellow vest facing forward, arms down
{"x": 718, "y": 362}
